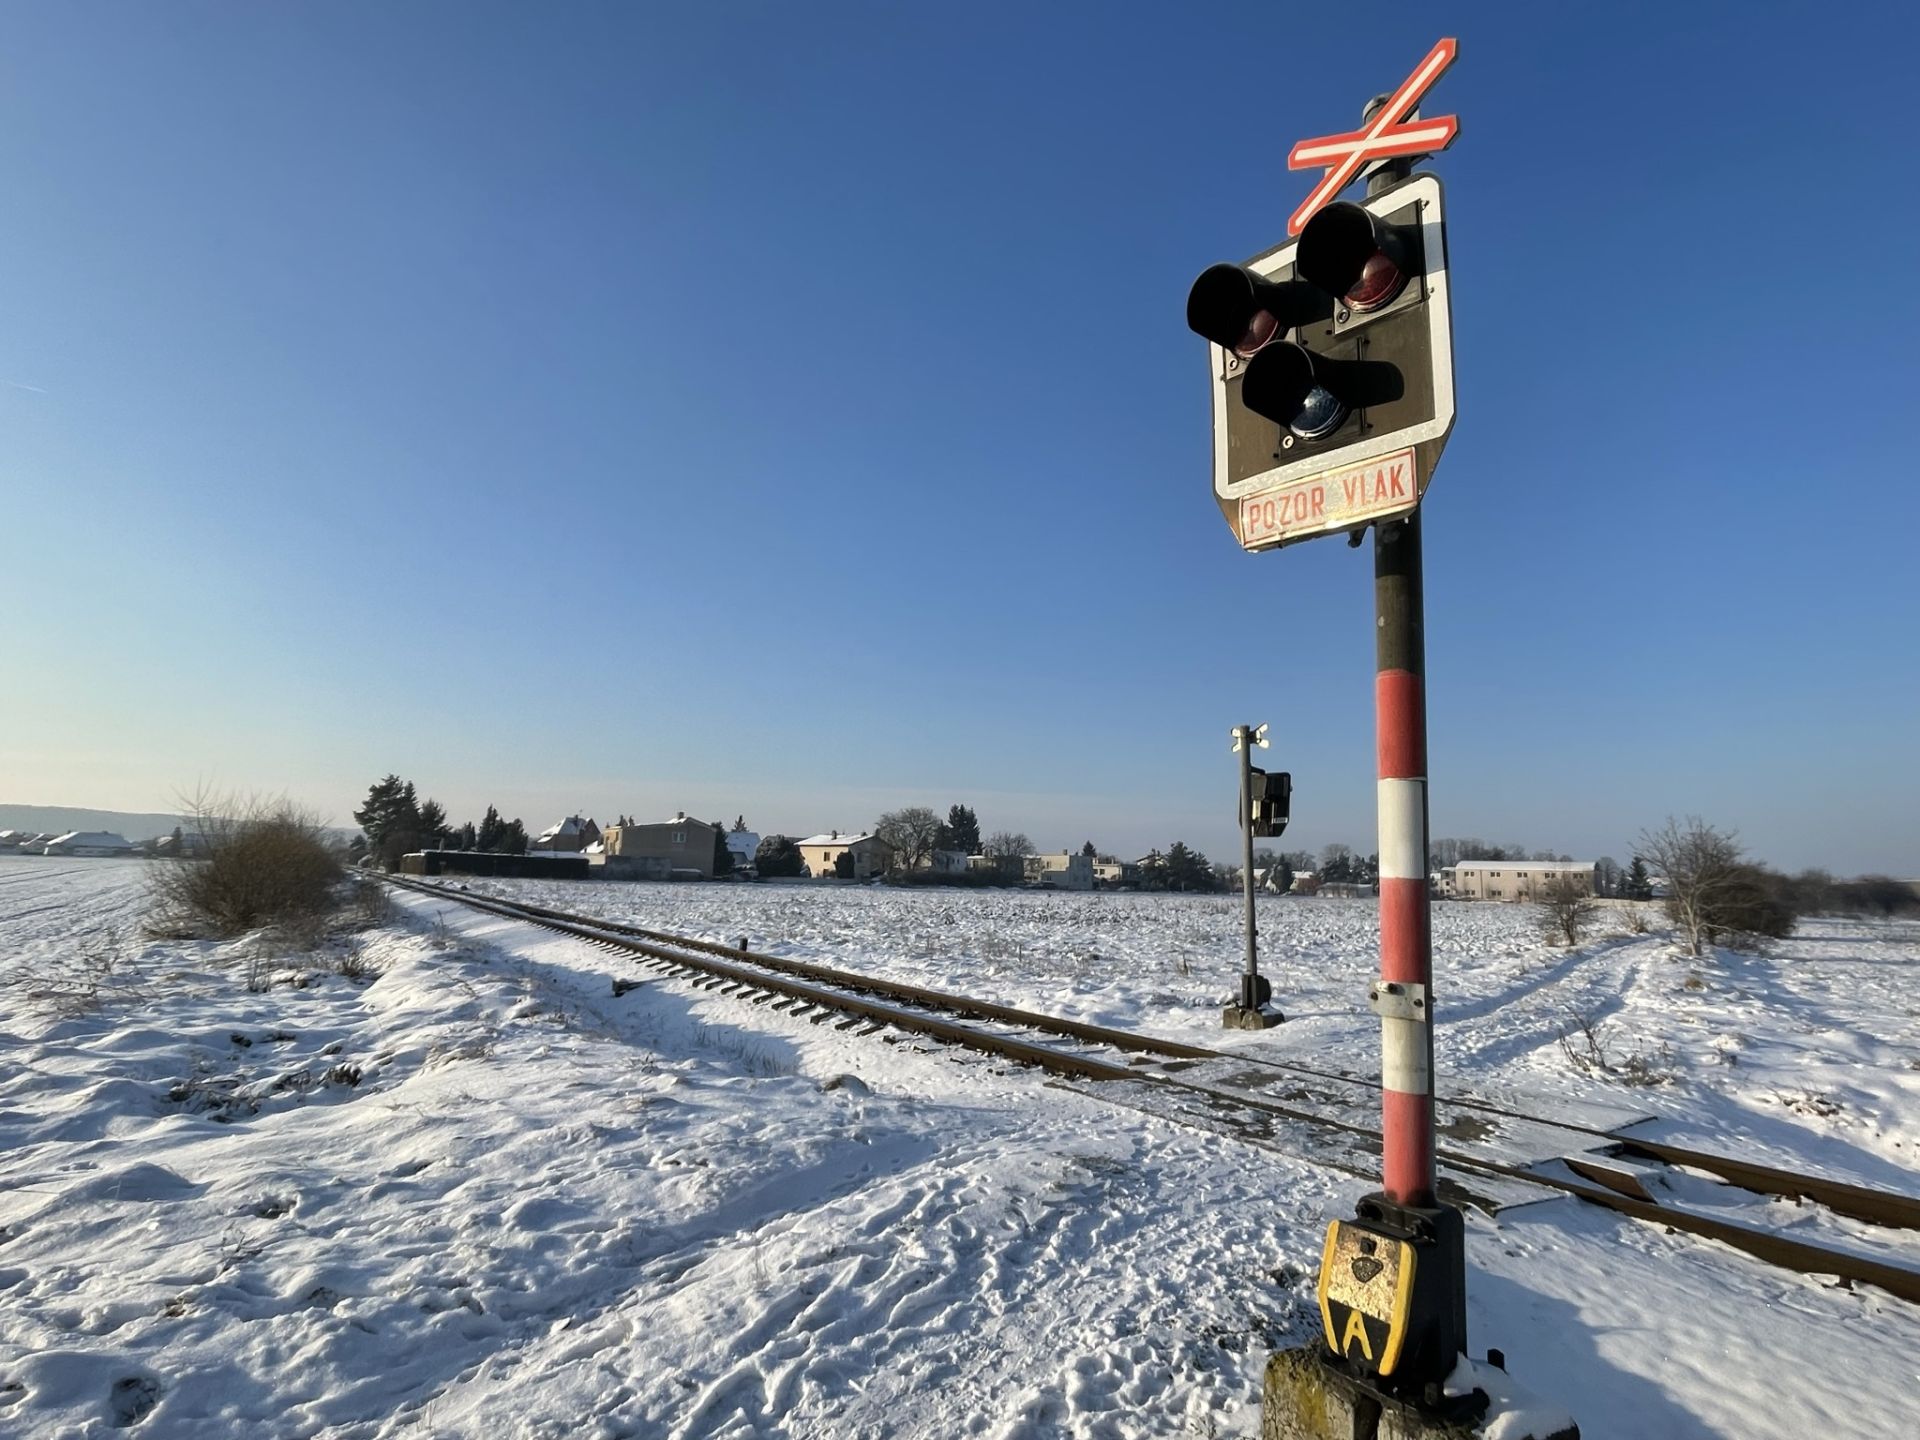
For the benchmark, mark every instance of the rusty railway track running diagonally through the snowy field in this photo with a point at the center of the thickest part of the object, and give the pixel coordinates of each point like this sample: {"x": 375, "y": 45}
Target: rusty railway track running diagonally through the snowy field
{"x": 1491, "y": 1155}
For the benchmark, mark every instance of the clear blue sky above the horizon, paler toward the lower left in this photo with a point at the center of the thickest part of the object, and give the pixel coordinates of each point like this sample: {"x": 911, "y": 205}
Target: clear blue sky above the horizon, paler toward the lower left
{"x": 788, "y": 412}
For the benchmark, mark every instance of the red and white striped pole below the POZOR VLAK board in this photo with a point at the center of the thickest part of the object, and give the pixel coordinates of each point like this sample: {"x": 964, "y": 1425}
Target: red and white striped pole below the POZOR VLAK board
{"x": 1404, "y": 996}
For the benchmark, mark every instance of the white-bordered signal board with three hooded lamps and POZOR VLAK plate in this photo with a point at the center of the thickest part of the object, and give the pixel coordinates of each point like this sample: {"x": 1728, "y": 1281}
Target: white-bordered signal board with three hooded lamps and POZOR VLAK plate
{"x": 1332, "y": 364}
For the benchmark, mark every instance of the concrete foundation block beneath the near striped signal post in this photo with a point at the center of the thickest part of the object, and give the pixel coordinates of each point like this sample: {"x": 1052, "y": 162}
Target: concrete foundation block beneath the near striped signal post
{"x": 1308, "y": 1399}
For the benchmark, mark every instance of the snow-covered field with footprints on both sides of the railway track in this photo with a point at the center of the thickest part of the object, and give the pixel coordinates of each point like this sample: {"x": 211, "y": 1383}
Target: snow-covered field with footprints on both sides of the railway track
{"x": 437, "y": 1180}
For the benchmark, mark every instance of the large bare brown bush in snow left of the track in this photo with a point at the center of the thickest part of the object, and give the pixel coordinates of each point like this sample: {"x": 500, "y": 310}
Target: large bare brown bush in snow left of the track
{"x": 268, "y": 867}
